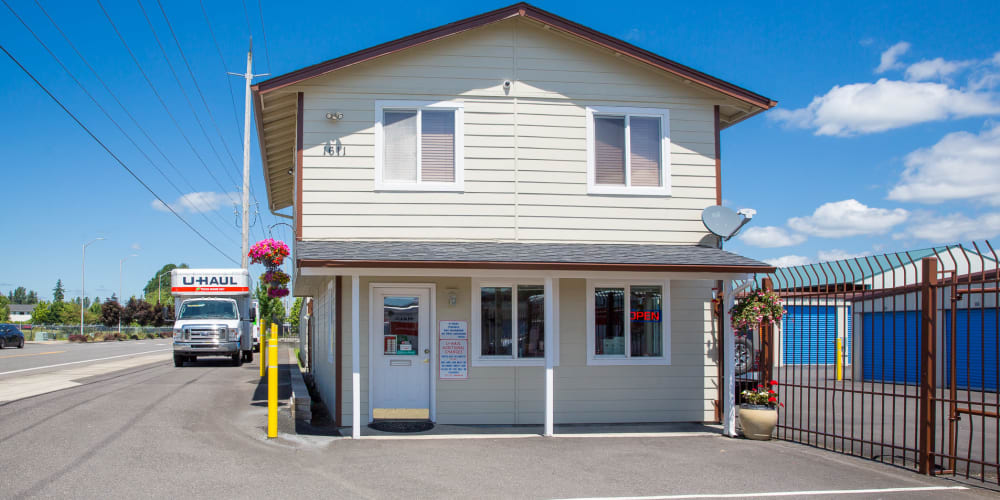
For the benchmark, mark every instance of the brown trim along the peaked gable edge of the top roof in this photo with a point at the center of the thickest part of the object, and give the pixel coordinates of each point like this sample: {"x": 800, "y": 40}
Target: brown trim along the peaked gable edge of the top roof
{"x": 529, "y": 12}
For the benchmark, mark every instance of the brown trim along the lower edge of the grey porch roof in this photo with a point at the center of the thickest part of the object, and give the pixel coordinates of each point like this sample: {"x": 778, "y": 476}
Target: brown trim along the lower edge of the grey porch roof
{"x": 539, "y": 266}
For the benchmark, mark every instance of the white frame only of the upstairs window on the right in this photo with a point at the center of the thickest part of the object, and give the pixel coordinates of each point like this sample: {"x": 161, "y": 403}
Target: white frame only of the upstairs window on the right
{"x": 664, "y": 188}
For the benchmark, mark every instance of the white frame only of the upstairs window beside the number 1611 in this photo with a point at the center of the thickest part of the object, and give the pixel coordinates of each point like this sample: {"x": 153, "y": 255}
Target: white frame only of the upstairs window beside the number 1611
{"x": 458, "y": 185}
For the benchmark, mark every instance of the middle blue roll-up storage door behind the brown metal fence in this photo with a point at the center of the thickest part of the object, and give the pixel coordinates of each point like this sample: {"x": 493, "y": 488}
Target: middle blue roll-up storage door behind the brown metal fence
{"x": 891, "y": 347}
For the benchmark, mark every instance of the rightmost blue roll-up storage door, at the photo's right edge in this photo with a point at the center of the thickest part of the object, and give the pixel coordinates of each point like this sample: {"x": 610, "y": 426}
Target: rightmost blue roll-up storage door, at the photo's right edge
{"x": 975, "y": 348}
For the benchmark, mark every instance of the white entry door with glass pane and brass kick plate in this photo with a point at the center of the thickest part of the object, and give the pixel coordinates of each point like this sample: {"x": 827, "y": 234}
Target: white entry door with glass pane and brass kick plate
{"x": 401, "y": 354}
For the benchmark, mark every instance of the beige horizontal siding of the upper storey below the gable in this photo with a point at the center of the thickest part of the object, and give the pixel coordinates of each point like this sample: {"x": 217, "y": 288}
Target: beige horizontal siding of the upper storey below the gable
{"x": 525, "y": 160}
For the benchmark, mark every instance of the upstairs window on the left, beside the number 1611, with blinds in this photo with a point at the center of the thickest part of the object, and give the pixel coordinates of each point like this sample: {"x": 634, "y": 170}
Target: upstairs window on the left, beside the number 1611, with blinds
{"x": 418, "y": 146}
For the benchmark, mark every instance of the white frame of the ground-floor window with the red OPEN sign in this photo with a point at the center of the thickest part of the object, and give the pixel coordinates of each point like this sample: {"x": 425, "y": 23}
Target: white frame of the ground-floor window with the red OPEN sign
{"x": 626, "y": 359}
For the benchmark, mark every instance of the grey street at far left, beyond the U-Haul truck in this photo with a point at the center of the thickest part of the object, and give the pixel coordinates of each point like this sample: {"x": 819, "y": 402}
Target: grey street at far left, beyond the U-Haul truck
{"x": 36, "y": 356}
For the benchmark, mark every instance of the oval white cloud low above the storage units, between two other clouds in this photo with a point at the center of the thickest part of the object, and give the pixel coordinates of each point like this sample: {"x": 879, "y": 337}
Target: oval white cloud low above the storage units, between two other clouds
{"x": 848, "y": 218}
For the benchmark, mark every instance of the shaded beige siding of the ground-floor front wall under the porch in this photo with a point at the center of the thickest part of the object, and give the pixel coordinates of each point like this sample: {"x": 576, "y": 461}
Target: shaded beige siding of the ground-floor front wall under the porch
{"x": 684, "y": 391}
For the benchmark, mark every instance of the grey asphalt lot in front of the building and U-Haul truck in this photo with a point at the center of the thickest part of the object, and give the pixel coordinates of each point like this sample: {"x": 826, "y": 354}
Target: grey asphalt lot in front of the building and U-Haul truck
{"x": 163, "y": 432}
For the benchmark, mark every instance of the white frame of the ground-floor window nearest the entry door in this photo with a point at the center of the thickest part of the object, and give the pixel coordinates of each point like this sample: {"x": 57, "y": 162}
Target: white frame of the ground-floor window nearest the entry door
{"x": 476, "y": 332}
